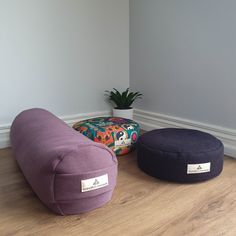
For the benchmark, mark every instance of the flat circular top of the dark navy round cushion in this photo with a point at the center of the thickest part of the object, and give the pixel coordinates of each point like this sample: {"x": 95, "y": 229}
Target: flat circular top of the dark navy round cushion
{"x": 180, "y": 140}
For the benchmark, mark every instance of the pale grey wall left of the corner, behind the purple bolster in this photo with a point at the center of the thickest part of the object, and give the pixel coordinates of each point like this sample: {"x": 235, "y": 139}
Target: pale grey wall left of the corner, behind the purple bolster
{"x": 61, "y": 54}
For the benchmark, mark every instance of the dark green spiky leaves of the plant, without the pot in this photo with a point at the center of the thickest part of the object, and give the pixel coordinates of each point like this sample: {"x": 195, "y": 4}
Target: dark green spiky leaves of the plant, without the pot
{"x": 122, "y": 100}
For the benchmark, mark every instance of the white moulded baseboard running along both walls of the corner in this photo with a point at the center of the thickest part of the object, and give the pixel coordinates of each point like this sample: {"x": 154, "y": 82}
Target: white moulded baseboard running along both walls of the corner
{"x": 148, "y": 121}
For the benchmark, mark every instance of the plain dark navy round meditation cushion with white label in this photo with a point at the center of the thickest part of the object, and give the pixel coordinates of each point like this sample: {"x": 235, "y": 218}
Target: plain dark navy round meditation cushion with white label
{"x": 180, "y": 155}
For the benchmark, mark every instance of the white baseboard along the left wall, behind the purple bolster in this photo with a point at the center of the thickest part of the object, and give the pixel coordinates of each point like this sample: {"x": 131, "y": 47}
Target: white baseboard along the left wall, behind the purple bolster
{"x": 70, "y": 120}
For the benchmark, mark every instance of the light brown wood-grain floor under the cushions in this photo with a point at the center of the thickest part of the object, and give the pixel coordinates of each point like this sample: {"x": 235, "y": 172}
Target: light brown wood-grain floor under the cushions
{"x": 141, "y": 205}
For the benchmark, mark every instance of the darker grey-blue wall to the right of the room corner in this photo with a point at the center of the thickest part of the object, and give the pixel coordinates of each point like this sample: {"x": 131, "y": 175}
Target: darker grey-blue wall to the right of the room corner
{"x": 183, "y": 58}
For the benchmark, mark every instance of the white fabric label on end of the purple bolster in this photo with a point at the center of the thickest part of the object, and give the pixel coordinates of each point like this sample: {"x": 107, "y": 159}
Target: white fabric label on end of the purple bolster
{"x": 94, "y": 183}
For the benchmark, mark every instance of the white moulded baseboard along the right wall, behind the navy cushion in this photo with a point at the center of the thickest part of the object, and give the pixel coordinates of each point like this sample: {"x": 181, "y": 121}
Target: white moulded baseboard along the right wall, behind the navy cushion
{"x": 150, "y": 120}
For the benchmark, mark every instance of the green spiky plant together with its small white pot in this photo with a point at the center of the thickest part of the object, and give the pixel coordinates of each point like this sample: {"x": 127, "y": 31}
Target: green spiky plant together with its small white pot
{"x": 123, "y": 102}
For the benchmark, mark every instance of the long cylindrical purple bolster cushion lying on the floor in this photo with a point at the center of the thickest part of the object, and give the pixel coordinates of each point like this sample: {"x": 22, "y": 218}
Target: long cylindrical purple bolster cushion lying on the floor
{"x": 56, "y": 161}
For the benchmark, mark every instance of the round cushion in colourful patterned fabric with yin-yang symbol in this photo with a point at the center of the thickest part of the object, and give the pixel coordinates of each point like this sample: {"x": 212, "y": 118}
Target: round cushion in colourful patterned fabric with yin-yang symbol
{"x": 117, "y": 133}
